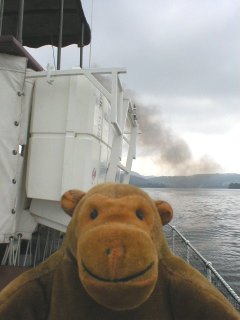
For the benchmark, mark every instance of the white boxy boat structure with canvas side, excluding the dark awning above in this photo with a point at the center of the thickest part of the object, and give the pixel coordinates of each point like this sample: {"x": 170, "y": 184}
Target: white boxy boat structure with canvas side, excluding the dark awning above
{"x": 81, "y": 133}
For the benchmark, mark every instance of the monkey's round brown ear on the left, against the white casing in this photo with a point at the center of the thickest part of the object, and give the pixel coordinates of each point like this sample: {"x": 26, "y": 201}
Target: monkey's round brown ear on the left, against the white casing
{"x": 70, "y": 199}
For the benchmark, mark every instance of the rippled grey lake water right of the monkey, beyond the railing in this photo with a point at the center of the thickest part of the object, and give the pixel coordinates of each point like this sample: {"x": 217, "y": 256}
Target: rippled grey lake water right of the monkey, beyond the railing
{"x": 210, "y": 219}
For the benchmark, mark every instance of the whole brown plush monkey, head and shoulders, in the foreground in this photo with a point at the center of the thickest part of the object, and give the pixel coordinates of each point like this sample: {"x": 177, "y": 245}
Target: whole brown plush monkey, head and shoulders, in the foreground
{"x": 114, "y": 264}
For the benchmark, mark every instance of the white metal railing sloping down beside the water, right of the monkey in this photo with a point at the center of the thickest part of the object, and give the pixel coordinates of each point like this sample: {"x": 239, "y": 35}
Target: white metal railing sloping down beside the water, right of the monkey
{"x": 183, "y": 248}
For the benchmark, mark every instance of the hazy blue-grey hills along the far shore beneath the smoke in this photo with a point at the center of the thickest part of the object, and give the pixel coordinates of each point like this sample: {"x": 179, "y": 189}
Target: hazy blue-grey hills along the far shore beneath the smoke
{"x": 216, "y": 180}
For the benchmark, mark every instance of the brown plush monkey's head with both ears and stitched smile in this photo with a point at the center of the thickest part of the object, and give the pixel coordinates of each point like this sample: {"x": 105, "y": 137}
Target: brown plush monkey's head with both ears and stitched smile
{"x": 116, "y": 237}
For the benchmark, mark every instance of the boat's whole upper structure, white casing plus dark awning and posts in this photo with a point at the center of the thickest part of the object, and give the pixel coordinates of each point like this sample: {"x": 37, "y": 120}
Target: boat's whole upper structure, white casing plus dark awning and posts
{"x": 59, "y": 129}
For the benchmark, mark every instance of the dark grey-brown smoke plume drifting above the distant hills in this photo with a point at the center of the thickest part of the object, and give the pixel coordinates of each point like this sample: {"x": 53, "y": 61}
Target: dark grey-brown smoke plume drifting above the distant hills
{"x": 168, "y": 150}
